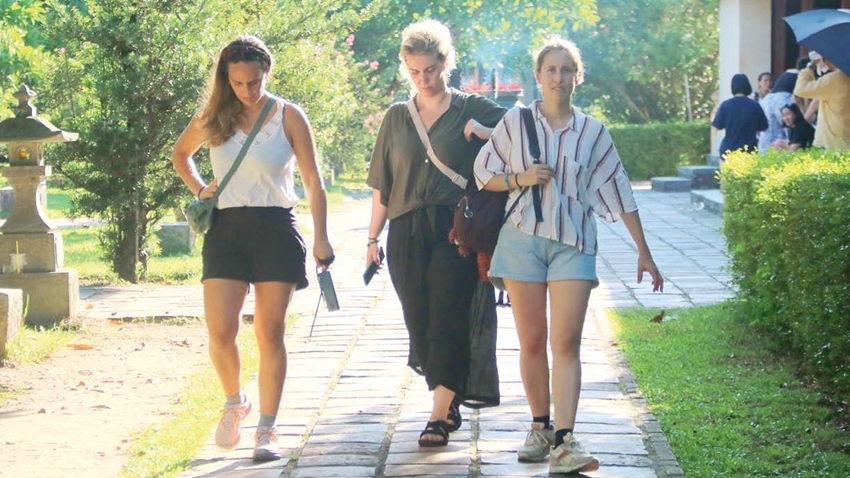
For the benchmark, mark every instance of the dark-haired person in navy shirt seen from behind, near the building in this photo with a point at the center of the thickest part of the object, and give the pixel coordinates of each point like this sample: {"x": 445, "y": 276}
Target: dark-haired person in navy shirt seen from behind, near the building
{"x": 741, "y": 118}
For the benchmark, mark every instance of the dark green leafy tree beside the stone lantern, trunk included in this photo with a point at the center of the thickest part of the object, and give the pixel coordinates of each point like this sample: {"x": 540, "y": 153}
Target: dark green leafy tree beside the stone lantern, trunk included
{"x": 126, "y": 77}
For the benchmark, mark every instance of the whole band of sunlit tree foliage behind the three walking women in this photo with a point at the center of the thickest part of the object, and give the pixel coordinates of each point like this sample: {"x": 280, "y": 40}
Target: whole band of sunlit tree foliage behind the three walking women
{"x": 127, "y": 75}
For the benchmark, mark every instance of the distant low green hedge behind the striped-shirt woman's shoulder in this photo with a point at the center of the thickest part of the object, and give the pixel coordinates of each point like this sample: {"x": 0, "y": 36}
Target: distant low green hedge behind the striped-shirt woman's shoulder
{"x": 658, "y": 149}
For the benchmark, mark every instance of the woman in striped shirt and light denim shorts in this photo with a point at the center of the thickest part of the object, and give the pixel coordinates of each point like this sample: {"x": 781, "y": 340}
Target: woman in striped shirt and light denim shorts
{"x": 579, "y": 175}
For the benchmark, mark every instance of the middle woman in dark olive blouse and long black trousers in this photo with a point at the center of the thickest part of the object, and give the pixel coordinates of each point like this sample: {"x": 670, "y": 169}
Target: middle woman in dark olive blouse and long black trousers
{"x": 433, "y": 281}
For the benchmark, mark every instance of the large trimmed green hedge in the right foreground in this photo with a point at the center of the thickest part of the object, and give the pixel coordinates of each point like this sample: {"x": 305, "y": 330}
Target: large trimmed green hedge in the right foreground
{"x": 787, "y": 223}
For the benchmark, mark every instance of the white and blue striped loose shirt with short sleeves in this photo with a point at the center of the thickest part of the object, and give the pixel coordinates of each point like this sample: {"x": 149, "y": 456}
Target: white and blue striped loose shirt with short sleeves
{"x": 589, "y": 176}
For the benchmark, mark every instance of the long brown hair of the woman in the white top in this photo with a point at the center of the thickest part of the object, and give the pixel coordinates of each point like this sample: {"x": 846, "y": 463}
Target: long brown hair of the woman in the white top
{"x": 221, "y": 107}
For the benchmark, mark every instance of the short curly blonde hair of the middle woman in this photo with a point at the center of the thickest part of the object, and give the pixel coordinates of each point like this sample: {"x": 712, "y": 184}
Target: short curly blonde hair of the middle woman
{"x": 428, "y": 37}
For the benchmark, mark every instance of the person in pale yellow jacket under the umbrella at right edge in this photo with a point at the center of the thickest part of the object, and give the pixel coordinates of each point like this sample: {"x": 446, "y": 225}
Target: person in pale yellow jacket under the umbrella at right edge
{"x": 832, "y": 90}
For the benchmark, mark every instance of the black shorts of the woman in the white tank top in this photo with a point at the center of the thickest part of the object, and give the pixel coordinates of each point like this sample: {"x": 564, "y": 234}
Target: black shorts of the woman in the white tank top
{"x": 255, "y": 244}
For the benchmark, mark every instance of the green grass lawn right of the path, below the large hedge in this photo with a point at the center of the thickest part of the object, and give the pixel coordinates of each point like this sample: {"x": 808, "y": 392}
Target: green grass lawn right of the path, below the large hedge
{"x": 728, "y": 406}
